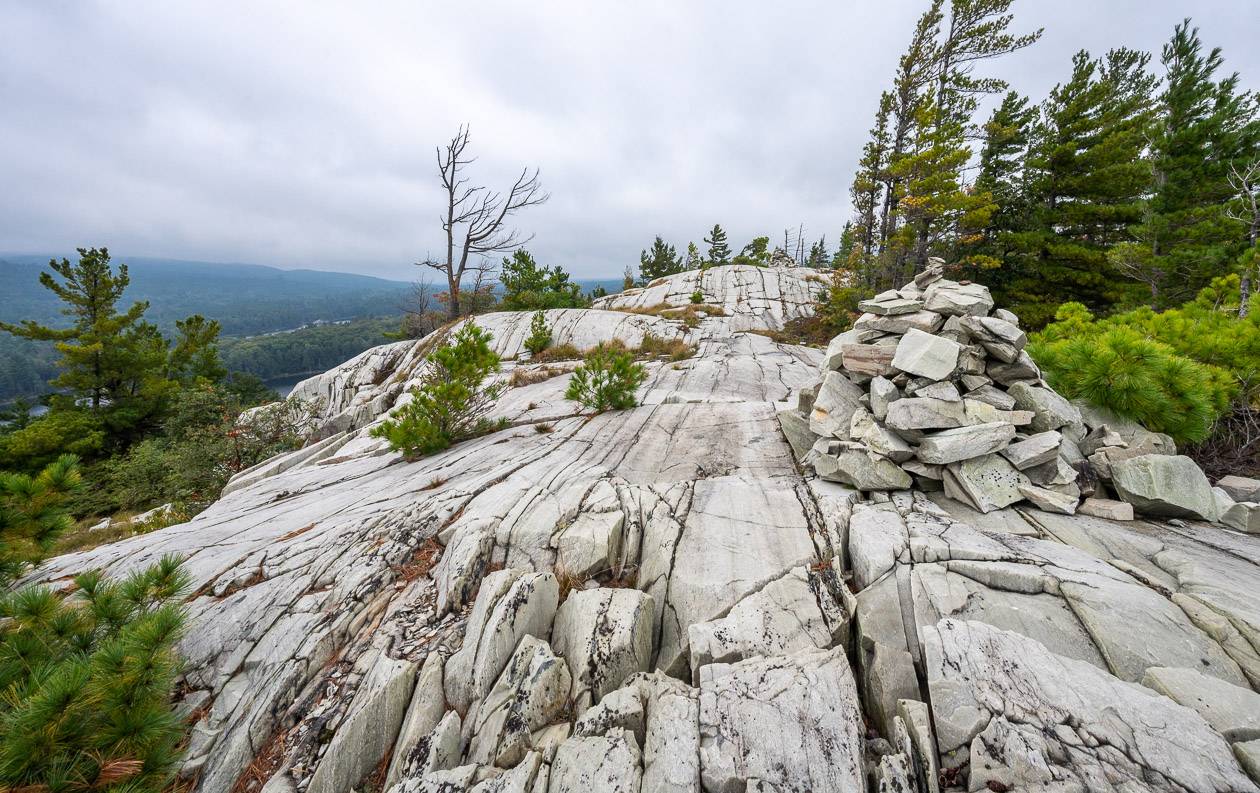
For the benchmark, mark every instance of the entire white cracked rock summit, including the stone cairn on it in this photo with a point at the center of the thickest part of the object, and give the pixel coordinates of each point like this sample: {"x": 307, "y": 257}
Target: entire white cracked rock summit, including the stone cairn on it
{"x": 900, "y": 564}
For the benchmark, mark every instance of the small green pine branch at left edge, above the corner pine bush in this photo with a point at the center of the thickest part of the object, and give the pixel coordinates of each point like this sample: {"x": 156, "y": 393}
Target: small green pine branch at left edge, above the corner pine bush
{"x": 33, "y": 515}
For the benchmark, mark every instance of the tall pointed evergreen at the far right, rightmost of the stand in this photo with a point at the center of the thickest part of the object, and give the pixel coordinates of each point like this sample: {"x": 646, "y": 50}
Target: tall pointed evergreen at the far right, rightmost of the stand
{"x": 1186, "y": 238}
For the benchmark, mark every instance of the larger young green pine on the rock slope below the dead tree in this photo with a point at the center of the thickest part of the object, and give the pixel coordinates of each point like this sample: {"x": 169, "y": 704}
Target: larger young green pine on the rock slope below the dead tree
{"x": 452, "y": 403}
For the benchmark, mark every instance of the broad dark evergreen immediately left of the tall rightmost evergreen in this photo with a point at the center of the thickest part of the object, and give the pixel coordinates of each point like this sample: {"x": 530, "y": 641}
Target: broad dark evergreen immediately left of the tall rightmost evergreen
{"x": 1088, "y": 177}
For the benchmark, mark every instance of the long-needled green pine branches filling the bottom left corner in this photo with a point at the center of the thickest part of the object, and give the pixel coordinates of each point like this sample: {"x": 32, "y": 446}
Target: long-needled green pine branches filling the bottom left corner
{"x": 86, "y": 684}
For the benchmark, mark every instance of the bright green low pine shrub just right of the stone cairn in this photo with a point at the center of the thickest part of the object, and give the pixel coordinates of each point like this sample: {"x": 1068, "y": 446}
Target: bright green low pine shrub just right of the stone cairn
{"x": 1176, "y": 371}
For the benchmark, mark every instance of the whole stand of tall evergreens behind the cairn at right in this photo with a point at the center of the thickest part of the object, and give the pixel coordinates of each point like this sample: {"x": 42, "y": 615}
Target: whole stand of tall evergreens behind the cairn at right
{"x": 1135, "y": 182}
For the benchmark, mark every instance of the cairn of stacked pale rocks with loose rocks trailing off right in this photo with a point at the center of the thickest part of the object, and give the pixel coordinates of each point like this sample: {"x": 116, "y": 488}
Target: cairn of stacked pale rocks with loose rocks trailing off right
{"x": 932, "y": 389}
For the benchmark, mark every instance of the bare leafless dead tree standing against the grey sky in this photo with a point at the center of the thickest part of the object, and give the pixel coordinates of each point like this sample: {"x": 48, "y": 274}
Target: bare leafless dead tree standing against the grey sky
{"x": 476, "y": 219}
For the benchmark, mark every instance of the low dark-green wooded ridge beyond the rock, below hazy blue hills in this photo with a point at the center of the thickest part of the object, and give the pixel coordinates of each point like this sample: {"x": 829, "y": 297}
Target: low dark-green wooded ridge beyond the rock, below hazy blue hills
{"x": 307, "y": 350}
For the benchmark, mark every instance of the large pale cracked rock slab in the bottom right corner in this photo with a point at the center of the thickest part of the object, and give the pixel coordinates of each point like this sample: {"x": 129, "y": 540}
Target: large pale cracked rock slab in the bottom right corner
{"x": 1030, "y": 719}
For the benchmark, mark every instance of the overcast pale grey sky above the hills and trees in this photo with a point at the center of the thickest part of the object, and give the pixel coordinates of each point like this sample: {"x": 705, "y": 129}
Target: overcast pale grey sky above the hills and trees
{"x": 303, "y": 134}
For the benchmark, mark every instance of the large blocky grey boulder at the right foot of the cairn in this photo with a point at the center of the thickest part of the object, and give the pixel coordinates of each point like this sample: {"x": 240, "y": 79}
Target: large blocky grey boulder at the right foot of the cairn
{"x": 1166, "y": 486}
